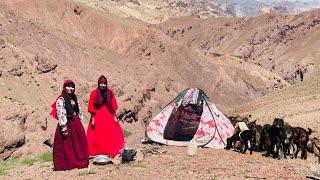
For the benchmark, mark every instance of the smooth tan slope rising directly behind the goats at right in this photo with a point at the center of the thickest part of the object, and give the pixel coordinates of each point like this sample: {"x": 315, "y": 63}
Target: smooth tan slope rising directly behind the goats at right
{"x": 298, "y": 105}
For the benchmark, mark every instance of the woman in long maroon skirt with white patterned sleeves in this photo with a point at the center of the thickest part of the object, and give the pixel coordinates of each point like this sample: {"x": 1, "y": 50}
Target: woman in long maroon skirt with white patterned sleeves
{"x": 70, "y": 147}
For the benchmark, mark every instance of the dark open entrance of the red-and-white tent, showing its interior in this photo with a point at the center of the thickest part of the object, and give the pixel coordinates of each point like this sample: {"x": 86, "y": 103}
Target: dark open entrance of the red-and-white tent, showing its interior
{"x": 183, "y": 123}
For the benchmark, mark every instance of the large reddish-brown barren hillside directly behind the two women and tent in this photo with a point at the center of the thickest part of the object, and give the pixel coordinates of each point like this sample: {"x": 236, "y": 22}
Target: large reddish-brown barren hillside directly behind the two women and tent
{"x": 46, "y": 42}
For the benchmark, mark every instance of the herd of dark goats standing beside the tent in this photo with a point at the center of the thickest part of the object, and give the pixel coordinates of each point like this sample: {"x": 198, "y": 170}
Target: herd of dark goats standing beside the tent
{"x": 272, "y": 139}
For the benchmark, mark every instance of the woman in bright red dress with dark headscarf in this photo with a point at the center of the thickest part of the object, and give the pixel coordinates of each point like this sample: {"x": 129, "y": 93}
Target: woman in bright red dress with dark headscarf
{"x": 105, "y": 135}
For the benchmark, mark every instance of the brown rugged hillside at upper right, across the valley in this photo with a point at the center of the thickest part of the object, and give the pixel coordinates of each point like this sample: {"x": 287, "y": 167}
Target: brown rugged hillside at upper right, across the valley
{"x": 286, "y": 45}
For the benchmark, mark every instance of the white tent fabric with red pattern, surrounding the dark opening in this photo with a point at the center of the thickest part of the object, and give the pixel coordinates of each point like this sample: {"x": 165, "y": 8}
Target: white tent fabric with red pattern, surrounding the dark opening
{"x": 214, "y": 127}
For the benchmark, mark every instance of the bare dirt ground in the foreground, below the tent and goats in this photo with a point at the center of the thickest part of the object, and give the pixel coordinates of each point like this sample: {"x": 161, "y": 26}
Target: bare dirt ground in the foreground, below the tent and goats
{"x": 176, "y": 164}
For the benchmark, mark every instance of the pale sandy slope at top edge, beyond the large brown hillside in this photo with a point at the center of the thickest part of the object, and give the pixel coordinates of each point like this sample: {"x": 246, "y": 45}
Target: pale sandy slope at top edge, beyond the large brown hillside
{"x": 159, "y": 11}
